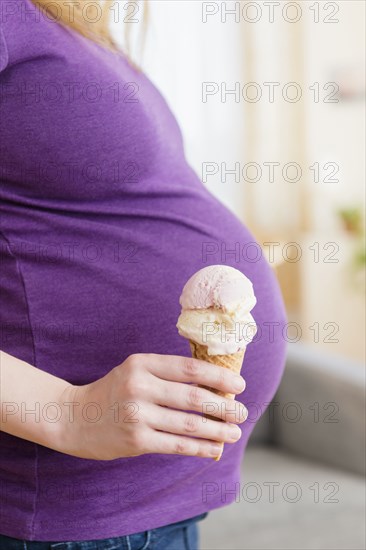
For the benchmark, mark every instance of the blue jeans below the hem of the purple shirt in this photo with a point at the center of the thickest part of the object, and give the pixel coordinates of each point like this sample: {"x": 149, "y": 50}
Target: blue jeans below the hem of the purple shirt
{"x": 176, "y": 536}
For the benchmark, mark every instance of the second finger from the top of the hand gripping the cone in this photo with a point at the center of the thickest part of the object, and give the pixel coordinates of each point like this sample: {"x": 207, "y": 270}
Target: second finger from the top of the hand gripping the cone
{"x": 187, "y": 397}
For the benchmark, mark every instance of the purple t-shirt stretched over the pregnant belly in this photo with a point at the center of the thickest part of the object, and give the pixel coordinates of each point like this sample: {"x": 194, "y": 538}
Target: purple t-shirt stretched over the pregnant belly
{"x": 102, "y": 223}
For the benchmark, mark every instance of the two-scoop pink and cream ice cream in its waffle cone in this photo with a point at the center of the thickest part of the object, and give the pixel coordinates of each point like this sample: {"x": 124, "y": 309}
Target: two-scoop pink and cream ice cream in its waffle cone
{"x": 215, "y": 318}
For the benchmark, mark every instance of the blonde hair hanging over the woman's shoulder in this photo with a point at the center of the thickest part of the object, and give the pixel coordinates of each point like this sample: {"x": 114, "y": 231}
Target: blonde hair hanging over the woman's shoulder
{"x": 92, "y": 19}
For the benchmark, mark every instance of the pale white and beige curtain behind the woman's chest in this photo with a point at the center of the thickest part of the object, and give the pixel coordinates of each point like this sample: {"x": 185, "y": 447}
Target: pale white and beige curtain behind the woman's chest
{"x": 197, "y": 47}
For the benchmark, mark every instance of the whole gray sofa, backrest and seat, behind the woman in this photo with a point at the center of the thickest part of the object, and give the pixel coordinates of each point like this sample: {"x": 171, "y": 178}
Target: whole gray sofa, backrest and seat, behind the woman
{"x": 312, "y": 440}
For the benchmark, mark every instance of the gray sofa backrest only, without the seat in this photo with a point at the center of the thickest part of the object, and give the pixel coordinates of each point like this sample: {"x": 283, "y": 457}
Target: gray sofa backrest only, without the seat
{"x": 319, "y": 410}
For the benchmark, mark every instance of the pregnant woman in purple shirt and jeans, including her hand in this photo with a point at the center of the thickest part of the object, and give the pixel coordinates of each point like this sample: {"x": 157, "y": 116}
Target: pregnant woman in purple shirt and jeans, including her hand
{"x": 102, "y": 221}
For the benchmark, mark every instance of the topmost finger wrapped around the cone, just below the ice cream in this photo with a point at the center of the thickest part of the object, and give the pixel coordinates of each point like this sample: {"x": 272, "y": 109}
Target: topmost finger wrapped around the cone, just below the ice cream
{"x": 187, "y": 369}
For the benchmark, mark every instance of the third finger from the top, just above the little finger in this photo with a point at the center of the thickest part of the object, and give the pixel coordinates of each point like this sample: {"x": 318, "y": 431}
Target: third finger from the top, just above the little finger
{"x": 189, "y": 424}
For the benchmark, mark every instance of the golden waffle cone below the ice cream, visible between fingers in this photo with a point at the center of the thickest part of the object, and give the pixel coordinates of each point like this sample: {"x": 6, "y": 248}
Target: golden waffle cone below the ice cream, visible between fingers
{"x": 232, "y": 362}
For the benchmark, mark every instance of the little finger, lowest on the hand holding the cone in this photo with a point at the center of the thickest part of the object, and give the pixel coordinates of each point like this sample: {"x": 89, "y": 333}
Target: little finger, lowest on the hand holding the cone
{"x": 166, "y": 443}
